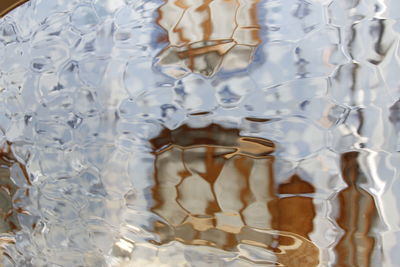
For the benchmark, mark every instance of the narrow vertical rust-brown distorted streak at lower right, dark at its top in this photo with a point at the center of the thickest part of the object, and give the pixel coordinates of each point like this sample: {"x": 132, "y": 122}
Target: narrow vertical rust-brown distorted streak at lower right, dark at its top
{"x": 357, "y": 214}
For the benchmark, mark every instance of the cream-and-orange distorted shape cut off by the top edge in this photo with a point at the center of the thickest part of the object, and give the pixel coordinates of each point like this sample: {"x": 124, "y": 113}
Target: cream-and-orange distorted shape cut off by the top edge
{"x": 205, "y": 36}
